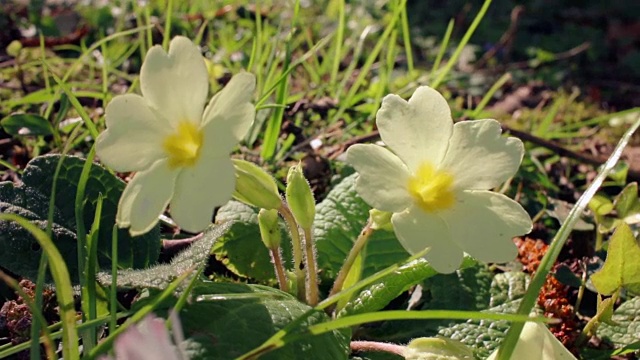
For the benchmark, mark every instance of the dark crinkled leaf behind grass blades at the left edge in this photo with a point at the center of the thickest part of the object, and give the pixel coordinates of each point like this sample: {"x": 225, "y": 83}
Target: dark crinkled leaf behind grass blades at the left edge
{"x": 31, "y": 199}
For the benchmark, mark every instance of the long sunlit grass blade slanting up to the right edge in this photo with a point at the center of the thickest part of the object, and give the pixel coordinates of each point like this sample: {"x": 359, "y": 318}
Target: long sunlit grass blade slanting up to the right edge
{"x": 529, "y": 300}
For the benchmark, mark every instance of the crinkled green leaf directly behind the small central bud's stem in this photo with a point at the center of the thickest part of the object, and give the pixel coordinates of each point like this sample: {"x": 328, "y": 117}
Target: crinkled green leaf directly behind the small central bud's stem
{"x": 241, "y": 249}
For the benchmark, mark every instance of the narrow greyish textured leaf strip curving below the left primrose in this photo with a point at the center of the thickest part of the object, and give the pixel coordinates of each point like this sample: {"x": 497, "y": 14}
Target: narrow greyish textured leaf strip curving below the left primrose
{"x": 160, "y": 276}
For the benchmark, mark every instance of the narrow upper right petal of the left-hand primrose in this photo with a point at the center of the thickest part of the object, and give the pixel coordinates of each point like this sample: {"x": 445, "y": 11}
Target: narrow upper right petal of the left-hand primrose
{"x": 230, "y": 113}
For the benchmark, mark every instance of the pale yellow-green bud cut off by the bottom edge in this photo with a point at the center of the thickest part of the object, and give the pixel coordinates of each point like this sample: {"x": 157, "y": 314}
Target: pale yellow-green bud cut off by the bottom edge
{"x": 437, "y": 349}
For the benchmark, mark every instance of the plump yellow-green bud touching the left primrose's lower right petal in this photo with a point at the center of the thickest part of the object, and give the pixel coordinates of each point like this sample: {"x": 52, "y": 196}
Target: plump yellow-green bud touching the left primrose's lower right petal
{"x": 255, "y": 187}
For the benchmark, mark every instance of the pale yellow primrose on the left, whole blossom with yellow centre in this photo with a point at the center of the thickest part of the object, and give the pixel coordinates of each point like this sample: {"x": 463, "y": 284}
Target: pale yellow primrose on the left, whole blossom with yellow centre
{"x": 179, "y": 149}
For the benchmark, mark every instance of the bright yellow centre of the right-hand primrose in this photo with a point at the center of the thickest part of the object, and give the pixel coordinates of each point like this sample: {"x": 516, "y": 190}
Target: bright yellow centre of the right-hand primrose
{"x": 432, "y": 189}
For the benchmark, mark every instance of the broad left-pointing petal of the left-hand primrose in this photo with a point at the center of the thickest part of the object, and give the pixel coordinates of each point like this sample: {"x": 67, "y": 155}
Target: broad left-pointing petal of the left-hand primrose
{"x": 133, "y": 139}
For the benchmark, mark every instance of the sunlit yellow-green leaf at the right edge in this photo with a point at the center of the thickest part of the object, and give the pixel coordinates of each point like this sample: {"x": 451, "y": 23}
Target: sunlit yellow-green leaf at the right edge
{"x": 621, "y": 267}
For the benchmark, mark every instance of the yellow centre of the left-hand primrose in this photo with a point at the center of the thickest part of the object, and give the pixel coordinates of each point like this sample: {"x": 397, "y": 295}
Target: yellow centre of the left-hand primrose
{"x": 183, "y": 146}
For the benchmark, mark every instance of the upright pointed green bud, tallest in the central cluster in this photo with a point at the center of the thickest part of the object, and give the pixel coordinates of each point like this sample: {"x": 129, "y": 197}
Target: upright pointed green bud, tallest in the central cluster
{"x": 300, "y": 198}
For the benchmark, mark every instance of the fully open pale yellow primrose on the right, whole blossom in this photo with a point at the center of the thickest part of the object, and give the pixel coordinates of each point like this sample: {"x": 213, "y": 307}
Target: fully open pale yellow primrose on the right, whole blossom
{"x": 436, "y": 181}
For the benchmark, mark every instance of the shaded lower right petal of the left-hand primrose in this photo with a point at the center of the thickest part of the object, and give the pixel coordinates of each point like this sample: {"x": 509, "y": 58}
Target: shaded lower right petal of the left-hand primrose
{"x": 199, "y": 190}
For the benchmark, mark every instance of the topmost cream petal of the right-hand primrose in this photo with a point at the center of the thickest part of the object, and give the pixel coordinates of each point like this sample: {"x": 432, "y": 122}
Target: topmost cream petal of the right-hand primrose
{"x": 417, "y": 130}
